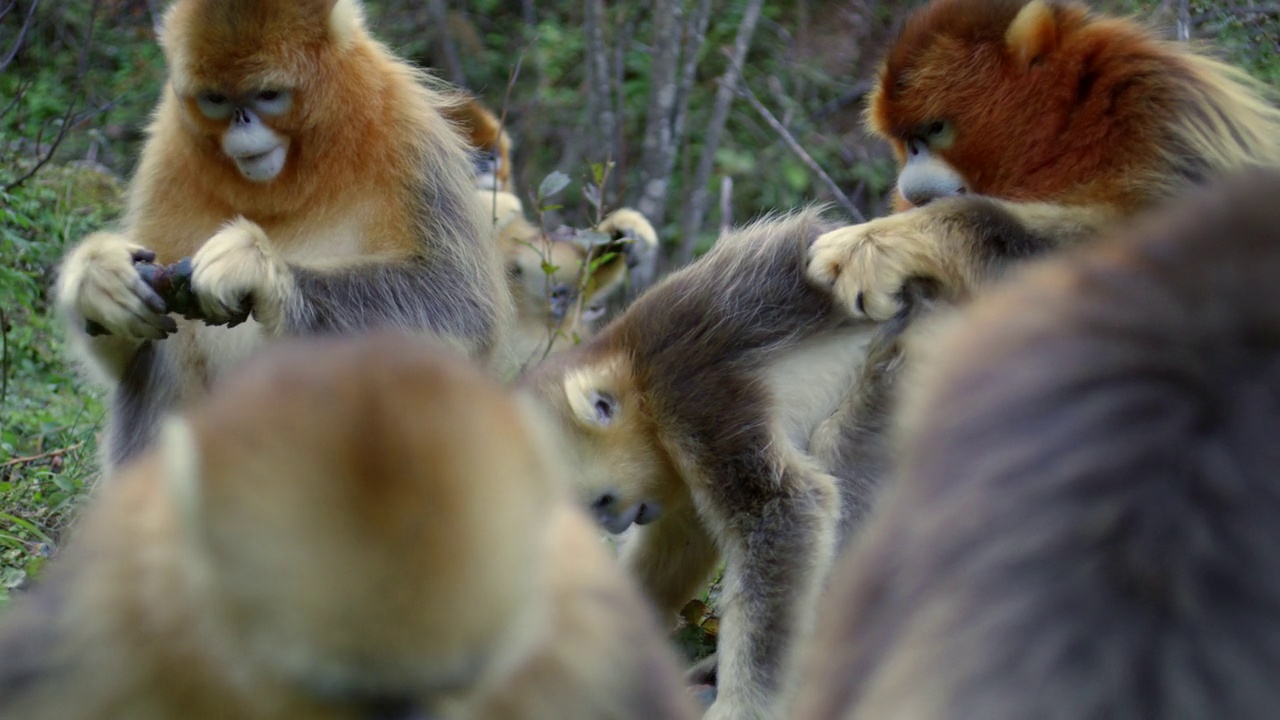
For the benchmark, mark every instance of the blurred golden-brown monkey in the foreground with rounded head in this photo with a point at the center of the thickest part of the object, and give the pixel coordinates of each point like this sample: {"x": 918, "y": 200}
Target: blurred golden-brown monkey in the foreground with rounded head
{"x": 350, "y": 528}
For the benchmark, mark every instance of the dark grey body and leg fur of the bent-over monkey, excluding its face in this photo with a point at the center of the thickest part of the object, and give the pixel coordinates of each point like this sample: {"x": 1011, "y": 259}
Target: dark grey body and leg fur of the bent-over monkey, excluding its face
{"x": 698, "y": 347}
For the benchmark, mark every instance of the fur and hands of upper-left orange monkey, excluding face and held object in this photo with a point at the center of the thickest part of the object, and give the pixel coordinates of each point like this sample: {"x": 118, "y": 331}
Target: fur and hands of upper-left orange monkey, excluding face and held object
{"x": 372, "y": 222}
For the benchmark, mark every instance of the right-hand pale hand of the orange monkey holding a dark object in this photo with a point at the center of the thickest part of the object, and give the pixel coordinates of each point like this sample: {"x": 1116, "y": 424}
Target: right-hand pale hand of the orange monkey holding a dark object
{"x": 237, "y": 274}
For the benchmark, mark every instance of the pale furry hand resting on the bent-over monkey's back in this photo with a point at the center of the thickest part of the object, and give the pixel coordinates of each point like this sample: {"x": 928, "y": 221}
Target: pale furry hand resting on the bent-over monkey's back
{"x": 870, "y": 267}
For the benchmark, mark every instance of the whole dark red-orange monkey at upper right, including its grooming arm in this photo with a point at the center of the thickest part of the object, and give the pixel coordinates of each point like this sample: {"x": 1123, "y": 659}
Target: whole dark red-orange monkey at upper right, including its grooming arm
{"x": 1025, "y": 126}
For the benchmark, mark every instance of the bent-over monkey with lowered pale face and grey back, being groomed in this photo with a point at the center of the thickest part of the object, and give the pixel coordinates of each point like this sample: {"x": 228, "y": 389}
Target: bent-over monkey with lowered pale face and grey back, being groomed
{"x": 692, "y": 417}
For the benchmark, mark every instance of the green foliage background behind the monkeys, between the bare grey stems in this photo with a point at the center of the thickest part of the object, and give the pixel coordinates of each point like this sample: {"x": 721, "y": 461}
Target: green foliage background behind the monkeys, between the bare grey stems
{"x": 808, "y": 63}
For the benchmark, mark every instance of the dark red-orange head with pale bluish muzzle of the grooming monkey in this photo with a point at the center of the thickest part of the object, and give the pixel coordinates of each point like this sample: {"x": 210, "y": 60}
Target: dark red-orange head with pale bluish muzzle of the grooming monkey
{"x": 994, "y": 129}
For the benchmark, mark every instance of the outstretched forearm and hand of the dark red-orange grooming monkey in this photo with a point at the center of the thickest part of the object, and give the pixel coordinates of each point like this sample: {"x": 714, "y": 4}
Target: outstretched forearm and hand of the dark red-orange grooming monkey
{"x": 956, "y": 244}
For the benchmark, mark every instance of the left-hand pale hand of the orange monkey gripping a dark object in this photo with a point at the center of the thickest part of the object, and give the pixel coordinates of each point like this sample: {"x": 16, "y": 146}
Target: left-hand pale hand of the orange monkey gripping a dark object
{"x": 100, "y": 288}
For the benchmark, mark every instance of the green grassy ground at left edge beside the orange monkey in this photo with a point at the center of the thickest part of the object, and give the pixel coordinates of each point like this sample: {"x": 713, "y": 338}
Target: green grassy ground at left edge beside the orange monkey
{"x": 49, "y": 417}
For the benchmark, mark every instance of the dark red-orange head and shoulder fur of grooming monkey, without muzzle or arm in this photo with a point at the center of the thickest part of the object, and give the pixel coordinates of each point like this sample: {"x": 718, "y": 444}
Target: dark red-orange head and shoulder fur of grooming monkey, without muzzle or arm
{"x": 1069, "y": 107}
